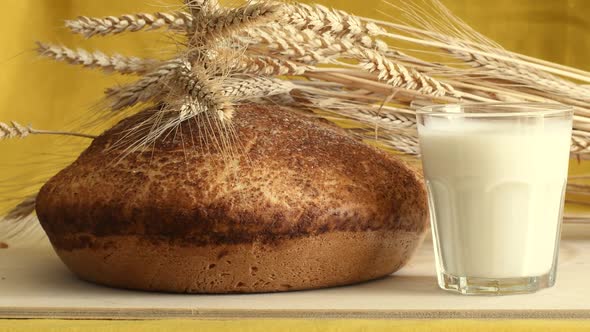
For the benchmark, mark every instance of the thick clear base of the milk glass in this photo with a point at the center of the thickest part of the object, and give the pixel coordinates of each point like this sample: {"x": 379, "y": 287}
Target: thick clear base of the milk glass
{"x": 495, "y": 286}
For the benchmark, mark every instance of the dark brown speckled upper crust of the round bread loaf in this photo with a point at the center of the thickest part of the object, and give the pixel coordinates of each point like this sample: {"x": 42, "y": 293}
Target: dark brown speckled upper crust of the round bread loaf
{"x": 291, "y": 178}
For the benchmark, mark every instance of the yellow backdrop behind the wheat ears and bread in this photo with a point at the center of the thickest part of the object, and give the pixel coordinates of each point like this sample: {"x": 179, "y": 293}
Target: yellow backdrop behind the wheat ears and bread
{"x": 54, "y": 96}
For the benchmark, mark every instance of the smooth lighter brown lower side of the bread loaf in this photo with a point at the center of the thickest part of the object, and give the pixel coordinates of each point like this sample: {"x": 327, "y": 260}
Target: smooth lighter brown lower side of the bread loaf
{"x": 329, "y": 259}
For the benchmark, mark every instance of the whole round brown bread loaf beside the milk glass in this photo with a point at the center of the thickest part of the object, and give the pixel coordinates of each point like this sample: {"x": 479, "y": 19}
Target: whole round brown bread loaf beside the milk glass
{"x": 296, "y": 205}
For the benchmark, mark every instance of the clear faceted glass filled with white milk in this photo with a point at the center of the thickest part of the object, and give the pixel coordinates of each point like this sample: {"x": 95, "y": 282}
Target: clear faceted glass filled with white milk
{"x": 496, "y": 176}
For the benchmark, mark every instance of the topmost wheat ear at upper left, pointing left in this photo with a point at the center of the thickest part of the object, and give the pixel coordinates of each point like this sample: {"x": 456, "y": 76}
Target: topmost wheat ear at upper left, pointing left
{"x": 92, "y": 26}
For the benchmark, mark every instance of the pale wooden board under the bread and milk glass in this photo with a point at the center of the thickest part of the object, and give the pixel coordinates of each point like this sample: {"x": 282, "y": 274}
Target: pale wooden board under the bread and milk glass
{"x": 34, "y": 284}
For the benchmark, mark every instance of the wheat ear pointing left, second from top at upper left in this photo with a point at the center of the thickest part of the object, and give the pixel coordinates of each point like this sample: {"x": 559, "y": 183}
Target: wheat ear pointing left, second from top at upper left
{"x": 97, "y": 59}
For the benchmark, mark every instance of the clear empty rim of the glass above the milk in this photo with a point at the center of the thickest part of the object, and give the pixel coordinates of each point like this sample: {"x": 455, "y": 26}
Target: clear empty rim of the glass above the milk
{"x": 496, "y": 110}
